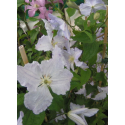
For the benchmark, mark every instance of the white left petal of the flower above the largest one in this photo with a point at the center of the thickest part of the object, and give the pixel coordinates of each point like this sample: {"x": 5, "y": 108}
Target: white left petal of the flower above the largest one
{"x": 44, "y": 43}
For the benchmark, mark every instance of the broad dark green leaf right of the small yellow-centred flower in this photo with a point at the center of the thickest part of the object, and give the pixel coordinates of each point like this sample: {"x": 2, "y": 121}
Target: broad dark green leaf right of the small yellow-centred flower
{"x": 90, "y": 50}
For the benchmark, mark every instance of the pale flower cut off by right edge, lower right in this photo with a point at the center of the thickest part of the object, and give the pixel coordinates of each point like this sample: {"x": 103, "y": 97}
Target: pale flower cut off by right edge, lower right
{"x": 102, "y": 95}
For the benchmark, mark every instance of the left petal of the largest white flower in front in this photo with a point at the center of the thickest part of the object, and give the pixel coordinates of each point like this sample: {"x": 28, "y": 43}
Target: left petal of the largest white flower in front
{"x": 29, "y": 75}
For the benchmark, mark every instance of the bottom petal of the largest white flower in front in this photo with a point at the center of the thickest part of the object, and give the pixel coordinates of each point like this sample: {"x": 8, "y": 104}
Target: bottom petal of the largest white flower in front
{"x": 39, "y": 100}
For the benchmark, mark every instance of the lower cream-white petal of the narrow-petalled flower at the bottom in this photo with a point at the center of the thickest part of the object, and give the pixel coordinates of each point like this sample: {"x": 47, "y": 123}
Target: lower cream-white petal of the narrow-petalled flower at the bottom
{"x": 77, "y": 119}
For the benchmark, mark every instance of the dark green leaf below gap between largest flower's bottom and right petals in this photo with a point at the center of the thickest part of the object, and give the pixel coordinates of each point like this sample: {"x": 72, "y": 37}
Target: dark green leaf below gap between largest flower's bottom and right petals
{"x": 57, "y": 102}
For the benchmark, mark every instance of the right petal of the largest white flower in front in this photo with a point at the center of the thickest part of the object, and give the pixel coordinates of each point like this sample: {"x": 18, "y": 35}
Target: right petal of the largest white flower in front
{"x": 61, "y": 82}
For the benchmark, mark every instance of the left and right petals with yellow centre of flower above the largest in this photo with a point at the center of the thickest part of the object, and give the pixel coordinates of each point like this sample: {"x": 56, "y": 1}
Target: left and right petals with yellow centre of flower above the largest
{"x": 47, "y": 43}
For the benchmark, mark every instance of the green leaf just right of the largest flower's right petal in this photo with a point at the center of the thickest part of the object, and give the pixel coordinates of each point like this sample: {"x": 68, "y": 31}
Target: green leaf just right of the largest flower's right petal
{"x": 85, "y": 75}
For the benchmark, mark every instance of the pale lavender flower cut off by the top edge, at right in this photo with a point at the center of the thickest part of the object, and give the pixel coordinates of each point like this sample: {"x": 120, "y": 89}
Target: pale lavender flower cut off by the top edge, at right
{"x": 91, "y": 6}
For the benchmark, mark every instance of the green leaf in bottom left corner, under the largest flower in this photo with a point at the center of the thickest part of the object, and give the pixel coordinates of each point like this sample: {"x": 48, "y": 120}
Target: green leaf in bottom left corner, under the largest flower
{"x": 29, "y": 117}
